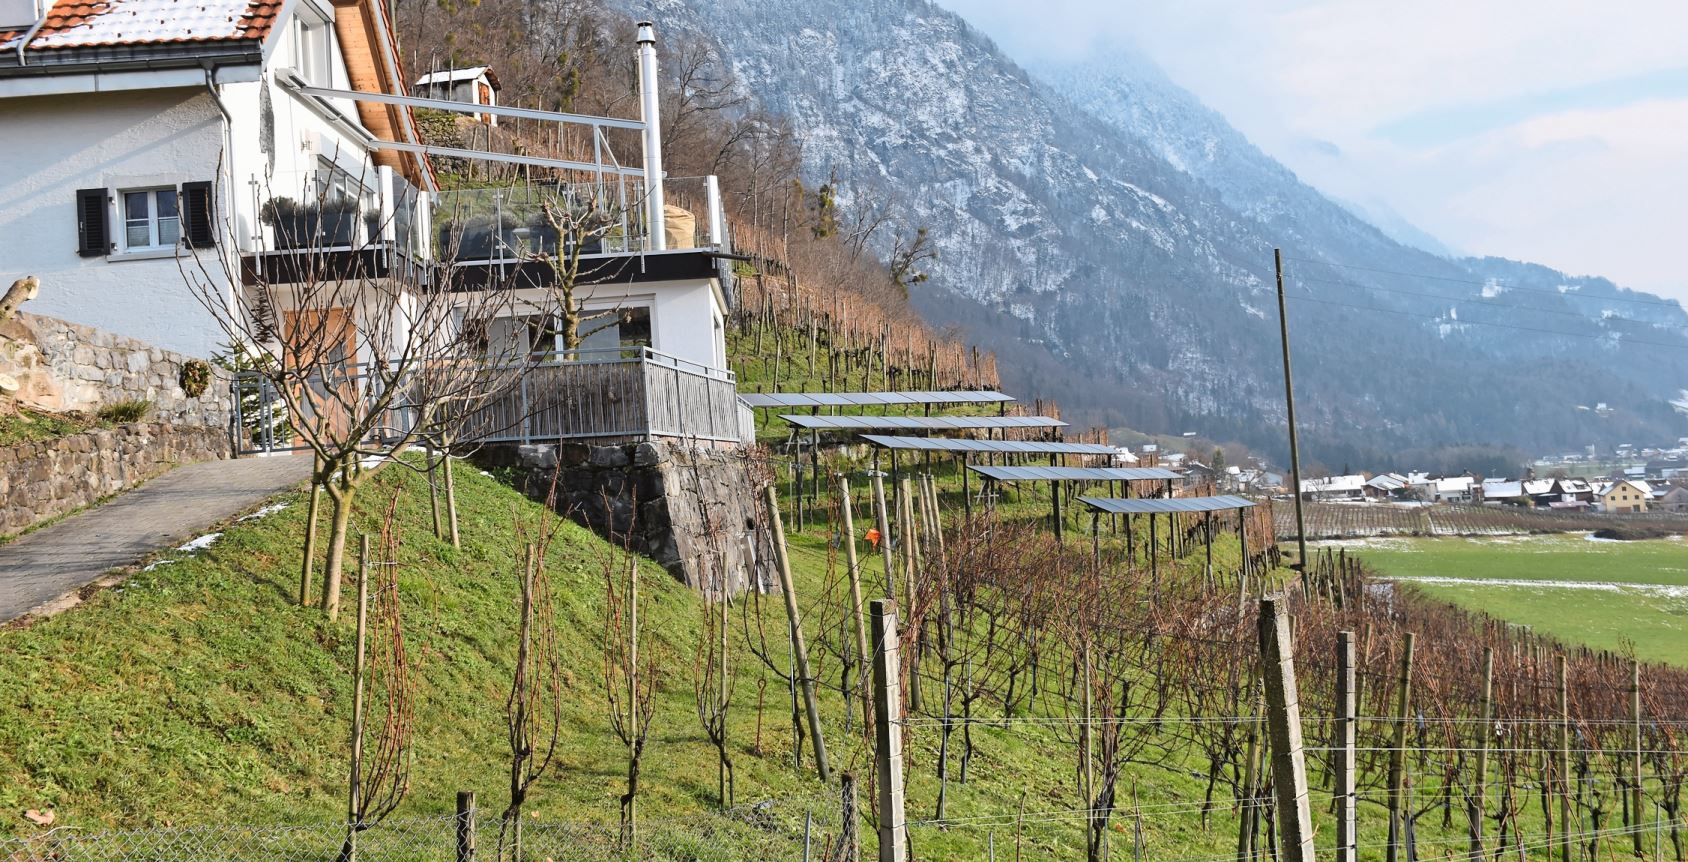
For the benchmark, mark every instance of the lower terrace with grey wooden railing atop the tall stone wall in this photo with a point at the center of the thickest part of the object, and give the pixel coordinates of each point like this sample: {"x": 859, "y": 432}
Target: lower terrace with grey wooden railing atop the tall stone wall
{"x": 615, "y": 396}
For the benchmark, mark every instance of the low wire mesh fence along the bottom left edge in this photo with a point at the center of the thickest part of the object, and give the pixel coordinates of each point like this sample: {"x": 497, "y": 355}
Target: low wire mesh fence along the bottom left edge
{"x": 803, "y": 829}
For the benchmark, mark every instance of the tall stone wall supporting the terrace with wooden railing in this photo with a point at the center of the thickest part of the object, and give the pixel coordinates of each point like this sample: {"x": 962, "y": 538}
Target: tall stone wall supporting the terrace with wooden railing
{"x": 669, "y": 498}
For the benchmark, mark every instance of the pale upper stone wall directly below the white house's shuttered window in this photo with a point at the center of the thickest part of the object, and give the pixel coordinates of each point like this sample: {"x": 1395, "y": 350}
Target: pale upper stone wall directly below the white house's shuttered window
{"x": 67, "y": 367}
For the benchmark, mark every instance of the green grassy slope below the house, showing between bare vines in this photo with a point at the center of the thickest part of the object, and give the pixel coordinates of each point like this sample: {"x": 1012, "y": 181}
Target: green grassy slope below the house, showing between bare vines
{"x": 202, "y": 692}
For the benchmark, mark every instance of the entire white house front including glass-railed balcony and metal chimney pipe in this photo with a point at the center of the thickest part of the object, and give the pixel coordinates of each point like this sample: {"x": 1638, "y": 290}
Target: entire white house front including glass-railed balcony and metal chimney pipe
{"x": 161, "y": 159}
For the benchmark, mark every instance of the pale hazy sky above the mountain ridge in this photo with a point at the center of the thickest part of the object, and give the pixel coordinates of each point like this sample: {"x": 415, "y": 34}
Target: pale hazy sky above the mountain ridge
{"x": 1550, "y": 131}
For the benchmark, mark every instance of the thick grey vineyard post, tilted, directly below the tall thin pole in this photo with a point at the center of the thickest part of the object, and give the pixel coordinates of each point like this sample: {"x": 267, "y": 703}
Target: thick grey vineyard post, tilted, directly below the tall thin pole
{"x": 1284, "y": 723}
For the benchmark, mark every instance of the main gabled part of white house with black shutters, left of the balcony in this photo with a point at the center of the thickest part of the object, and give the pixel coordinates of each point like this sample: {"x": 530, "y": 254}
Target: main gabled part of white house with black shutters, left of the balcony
{"x": 144, "y": 139}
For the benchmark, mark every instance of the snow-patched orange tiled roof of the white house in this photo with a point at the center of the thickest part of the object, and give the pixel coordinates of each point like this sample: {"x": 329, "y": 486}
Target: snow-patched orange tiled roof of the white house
{"x": 136, "y": 23}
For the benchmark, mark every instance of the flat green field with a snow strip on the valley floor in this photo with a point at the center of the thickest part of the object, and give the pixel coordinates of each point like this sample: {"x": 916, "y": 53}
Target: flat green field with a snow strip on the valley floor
{"x": 1606, "y": 595}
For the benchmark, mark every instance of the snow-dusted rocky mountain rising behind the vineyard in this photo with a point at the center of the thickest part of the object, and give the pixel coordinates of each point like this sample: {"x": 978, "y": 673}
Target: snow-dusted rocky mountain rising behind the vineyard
{"x": 1113, "y": 240}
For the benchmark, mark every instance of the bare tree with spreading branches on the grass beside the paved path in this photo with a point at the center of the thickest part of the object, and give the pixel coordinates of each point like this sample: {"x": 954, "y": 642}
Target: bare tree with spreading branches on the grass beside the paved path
{"x": 364, "y": 362}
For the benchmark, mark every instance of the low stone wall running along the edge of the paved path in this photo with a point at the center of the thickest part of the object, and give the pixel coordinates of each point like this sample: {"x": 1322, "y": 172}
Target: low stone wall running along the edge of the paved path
{"x": 50, "y": 478}
